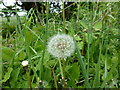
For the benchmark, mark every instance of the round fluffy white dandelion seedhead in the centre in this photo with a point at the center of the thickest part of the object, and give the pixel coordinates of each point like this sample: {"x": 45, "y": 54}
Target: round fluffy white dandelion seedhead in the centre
{"x": 61, "y": 46}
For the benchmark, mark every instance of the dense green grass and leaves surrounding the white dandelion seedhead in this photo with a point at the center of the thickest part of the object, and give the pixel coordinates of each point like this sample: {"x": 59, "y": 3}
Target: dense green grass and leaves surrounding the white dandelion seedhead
{"x": 95, "y": 29}
